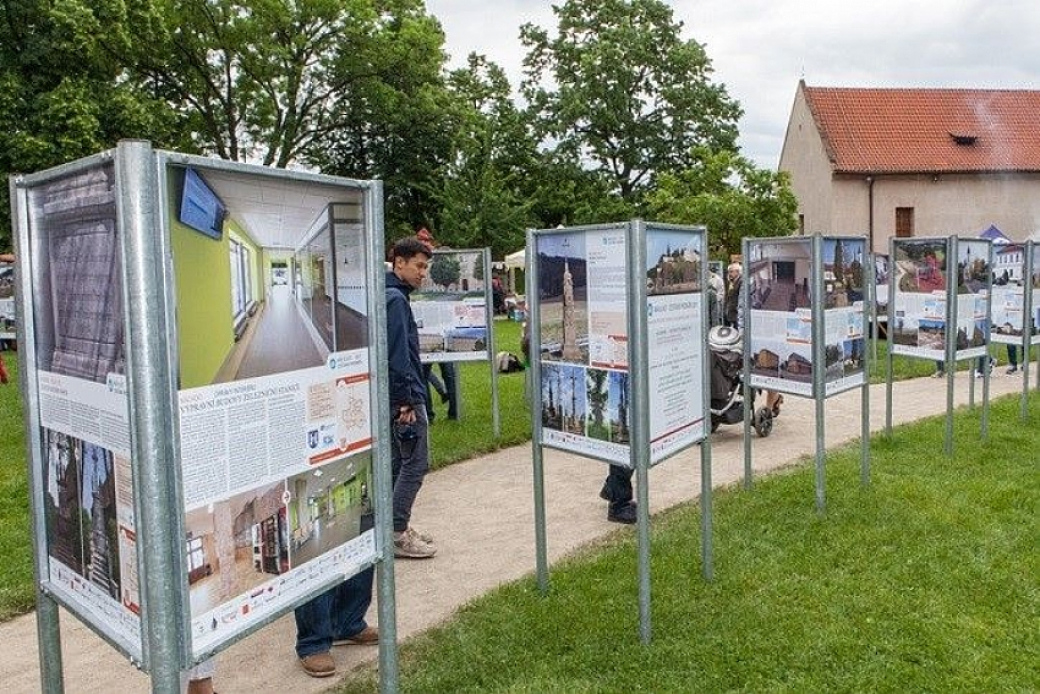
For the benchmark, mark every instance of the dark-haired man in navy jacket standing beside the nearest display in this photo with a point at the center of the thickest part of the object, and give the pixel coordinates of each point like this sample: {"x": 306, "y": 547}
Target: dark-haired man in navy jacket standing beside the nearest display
{"x": 410, "y": 448}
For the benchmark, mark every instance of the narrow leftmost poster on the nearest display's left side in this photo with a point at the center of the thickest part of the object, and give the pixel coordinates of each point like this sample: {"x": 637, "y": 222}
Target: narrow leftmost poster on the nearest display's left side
{"x": 91, "y": 537}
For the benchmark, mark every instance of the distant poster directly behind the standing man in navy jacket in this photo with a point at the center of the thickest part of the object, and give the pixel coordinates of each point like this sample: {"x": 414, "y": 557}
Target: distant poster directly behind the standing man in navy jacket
{"x": 452, "y": 311}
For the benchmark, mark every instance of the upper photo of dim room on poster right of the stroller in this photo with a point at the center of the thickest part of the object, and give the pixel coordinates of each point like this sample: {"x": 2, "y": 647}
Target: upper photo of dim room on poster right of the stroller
{"x": 778, "y": 275}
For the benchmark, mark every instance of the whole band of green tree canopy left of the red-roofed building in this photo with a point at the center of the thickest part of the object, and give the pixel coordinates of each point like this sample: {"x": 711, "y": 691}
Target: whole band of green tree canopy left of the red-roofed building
{"x": 621, "y": 116}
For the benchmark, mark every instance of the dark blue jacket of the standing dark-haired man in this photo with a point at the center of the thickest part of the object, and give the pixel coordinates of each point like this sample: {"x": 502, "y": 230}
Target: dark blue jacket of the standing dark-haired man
{"x": 407, "y": 382}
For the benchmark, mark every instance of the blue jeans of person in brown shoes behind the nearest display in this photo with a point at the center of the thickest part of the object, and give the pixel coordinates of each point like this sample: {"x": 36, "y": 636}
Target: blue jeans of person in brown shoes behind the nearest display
{"x": 339, "y": 613}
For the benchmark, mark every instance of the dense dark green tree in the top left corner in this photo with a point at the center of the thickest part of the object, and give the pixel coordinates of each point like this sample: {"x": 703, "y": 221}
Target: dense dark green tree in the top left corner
{"x": 65, "y": 93}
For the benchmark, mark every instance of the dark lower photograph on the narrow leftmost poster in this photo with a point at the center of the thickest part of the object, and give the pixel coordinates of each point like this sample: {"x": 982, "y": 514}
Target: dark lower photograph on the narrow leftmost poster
{"x": 82, "y": 517}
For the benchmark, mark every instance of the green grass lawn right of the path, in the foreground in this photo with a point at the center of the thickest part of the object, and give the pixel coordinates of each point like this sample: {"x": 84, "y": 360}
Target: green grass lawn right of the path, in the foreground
{"x": 927, "y": 581}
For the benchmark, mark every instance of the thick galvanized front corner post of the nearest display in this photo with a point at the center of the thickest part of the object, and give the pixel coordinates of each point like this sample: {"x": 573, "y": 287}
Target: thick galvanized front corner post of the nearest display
{"x": 151, "y": 392}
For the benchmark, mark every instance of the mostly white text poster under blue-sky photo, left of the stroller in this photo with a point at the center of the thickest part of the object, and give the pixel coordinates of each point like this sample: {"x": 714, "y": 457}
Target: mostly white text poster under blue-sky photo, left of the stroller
{"x": 677, "y": 359}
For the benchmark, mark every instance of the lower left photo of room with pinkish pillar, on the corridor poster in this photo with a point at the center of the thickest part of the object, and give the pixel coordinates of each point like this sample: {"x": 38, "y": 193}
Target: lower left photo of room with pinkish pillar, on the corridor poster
{"x": 235, "y": 546}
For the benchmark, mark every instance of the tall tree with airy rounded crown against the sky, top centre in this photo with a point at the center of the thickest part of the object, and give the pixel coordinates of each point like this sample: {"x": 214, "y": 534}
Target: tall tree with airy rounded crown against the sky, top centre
{"x": 629, "y": 96}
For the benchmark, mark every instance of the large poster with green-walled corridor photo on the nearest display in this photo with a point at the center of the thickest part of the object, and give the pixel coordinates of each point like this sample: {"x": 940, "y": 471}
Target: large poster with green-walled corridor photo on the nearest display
{"x": 275, "y": 412}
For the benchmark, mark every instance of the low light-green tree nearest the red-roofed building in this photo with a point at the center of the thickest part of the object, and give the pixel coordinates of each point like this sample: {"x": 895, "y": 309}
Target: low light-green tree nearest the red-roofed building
{"x": 731, "y": 196}
